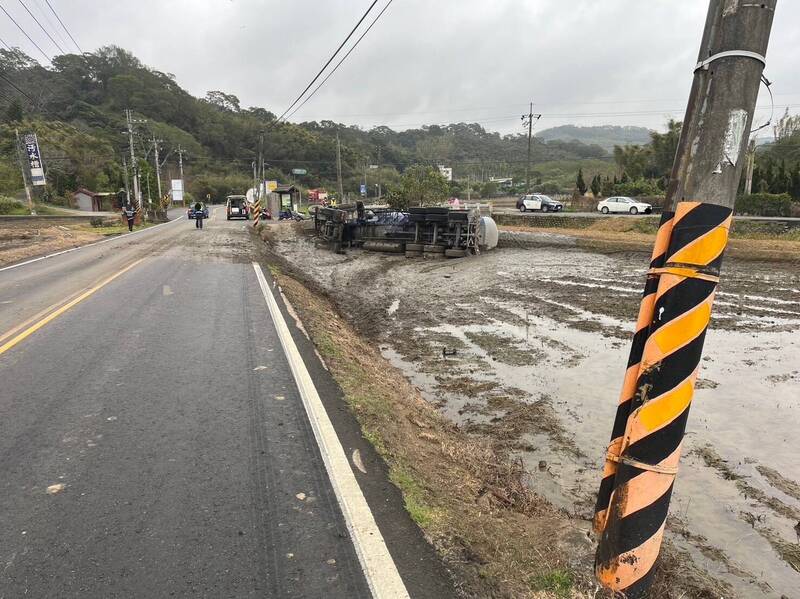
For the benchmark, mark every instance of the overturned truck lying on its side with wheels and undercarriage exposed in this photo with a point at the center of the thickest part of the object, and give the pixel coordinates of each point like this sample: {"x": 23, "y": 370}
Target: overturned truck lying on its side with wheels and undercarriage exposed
{"x": 419, "y": 232}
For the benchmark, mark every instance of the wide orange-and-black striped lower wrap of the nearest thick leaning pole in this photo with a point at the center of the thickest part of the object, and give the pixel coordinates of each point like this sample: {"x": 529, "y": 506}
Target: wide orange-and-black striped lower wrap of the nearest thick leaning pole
{"x": 651, "y": 445}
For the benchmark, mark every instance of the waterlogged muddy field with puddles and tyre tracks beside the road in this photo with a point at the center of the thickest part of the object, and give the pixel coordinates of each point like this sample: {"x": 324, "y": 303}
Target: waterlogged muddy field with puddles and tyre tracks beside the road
{"x": 528, "y": 346}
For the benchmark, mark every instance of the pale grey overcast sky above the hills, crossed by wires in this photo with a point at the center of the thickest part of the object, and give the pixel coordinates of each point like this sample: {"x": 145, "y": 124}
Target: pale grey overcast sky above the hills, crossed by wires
{"x": 622, "y": 62}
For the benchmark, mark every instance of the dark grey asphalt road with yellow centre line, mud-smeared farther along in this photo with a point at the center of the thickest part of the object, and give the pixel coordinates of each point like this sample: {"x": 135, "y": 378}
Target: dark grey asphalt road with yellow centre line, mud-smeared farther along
{"x": 153, "y": 441}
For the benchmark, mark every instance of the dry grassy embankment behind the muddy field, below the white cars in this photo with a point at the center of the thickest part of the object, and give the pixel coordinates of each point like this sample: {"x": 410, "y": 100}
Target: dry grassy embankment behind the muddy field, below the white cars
{"x": 749, "y": 240}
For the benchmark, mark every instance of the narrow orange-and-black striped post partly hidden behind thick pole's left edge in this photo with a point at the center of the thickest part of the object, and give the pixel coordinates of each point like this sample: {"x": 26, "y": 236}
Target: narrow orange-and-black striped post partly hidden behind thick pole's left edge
{"x": 632, "y": 373}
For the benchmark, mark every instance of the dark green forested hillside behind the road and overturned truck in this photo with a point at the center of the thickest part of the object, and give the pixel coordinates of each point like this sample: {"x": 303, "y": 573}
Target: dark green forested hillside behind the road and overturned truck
{"x": 77, "y": 108}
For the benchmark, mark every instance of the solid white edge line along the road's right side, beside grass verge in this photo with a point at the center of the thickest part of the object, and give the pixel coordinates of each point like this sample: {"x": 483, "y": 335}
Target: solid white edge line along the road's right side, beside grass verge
{"x": 379, "y": 568}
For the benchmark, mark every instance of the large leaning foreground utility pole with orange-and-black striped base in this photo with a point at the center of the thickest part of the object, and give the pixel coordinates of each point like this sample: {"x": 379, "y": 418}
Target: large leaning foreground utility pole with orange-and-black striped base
{"x": 679, "y": 294}
